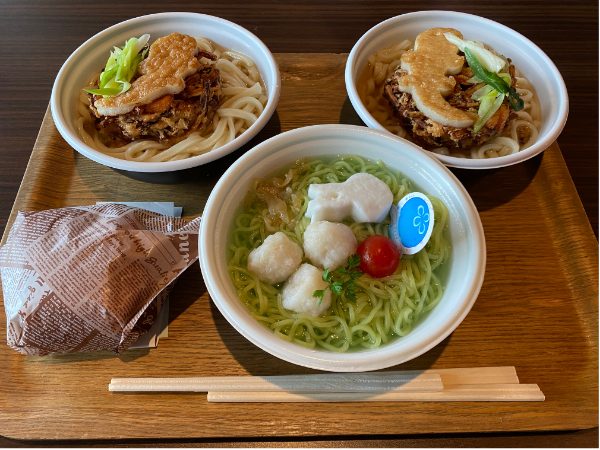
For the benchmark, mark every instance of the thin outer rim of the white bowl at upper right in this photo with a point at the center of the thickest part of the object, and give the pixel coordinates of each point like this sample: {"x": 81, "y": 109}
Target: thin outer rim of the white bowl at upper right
{"x": 557, "y": 123}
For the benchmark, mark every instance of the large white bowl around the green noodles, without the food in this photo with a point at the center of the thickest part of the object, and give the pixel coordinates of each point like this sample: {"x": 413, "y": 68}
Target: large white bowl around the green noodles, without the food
{"x": 467, "y": 261}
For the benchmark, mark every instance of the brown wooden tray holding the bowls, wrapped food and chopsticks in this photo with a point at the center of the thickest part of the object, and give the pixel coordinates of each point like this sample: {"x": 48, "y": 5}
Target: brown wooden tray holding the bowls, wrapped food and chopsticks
{"x": 537, "y": 309}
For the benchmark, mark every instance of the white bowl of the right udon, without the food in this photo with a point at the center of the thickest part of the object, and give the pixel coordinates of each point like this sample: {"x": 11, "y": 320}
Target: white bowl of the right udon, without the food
{"x": 533, "y": 63}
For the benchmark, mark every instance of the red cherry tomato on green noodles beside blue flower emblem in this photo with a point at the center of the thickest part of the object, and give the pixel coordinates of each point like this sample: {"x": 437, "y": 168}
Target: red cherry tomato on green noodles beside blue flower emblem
{"x": 379, "y": 256}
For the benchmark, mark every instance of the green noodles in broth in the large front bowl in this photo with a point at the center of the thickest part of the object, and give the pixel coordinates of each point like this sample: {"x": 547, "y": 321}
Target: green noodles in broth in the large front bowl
{"x": 384, "y": 309}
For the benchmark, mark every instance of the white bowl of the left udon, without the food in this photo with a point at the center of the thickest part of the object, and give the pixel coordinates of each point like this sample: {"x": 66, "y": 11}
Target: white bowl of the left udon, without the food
{"x": 91, "y": 56}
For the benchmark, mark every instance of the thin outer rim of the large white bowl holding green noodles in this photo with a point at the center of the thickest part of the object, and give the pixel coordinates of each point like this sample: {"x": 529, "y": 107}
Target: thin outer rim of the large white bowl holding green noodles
{"x": 263, "y": 338}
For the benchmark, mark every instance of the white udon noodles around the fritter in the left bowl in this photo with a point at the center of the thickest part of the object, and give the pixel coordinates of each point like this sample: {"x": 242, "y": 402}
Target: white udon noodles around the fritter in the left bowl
{"x": 243, "y": 100}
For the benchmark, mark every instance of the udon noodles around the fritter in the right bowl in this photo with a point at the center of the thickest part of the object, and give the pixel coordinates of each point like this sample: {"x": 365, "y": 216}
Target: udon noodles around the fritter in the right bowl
{"x": 520, "y": 132}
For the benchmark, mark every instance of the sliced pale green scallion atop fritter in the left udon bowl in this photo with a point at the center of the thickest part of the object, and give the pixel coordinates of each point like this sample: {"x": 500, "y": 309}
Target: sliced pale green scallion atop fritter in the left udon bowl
{"x": 121, "y": 67}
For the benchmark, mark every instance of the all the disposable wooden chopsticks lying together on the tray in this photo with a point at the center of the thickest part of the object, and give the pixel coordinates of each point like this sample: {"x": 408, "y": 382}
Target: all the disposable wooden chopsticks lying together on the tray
{"x": 460, "y": 384}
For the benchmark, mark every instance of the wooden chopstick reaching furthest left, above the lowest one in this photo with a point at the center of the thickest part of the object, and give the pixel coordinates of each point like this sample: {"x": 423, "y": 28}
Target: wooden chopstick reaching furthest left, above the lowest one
{"x": 339, "y": 382}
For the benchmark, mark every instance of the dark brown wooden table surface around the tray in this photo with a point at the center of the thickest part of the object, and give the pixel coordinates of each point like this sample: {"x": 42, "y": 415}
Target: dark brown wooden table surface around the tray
{"x": 37, "y": 36}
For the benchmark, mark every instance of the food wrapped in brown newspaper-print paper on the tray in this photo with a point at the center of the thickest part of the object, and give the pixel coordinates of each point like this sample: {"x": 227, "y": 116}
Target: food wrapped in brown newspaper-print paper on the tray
{"x": 89, "y": 278}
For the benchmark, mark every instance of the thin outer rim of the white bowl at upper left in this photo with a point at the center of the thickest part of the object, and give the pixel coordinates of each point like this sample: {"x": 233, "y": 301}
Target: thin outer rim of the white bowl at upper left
{"x": 73, "y": 139}
